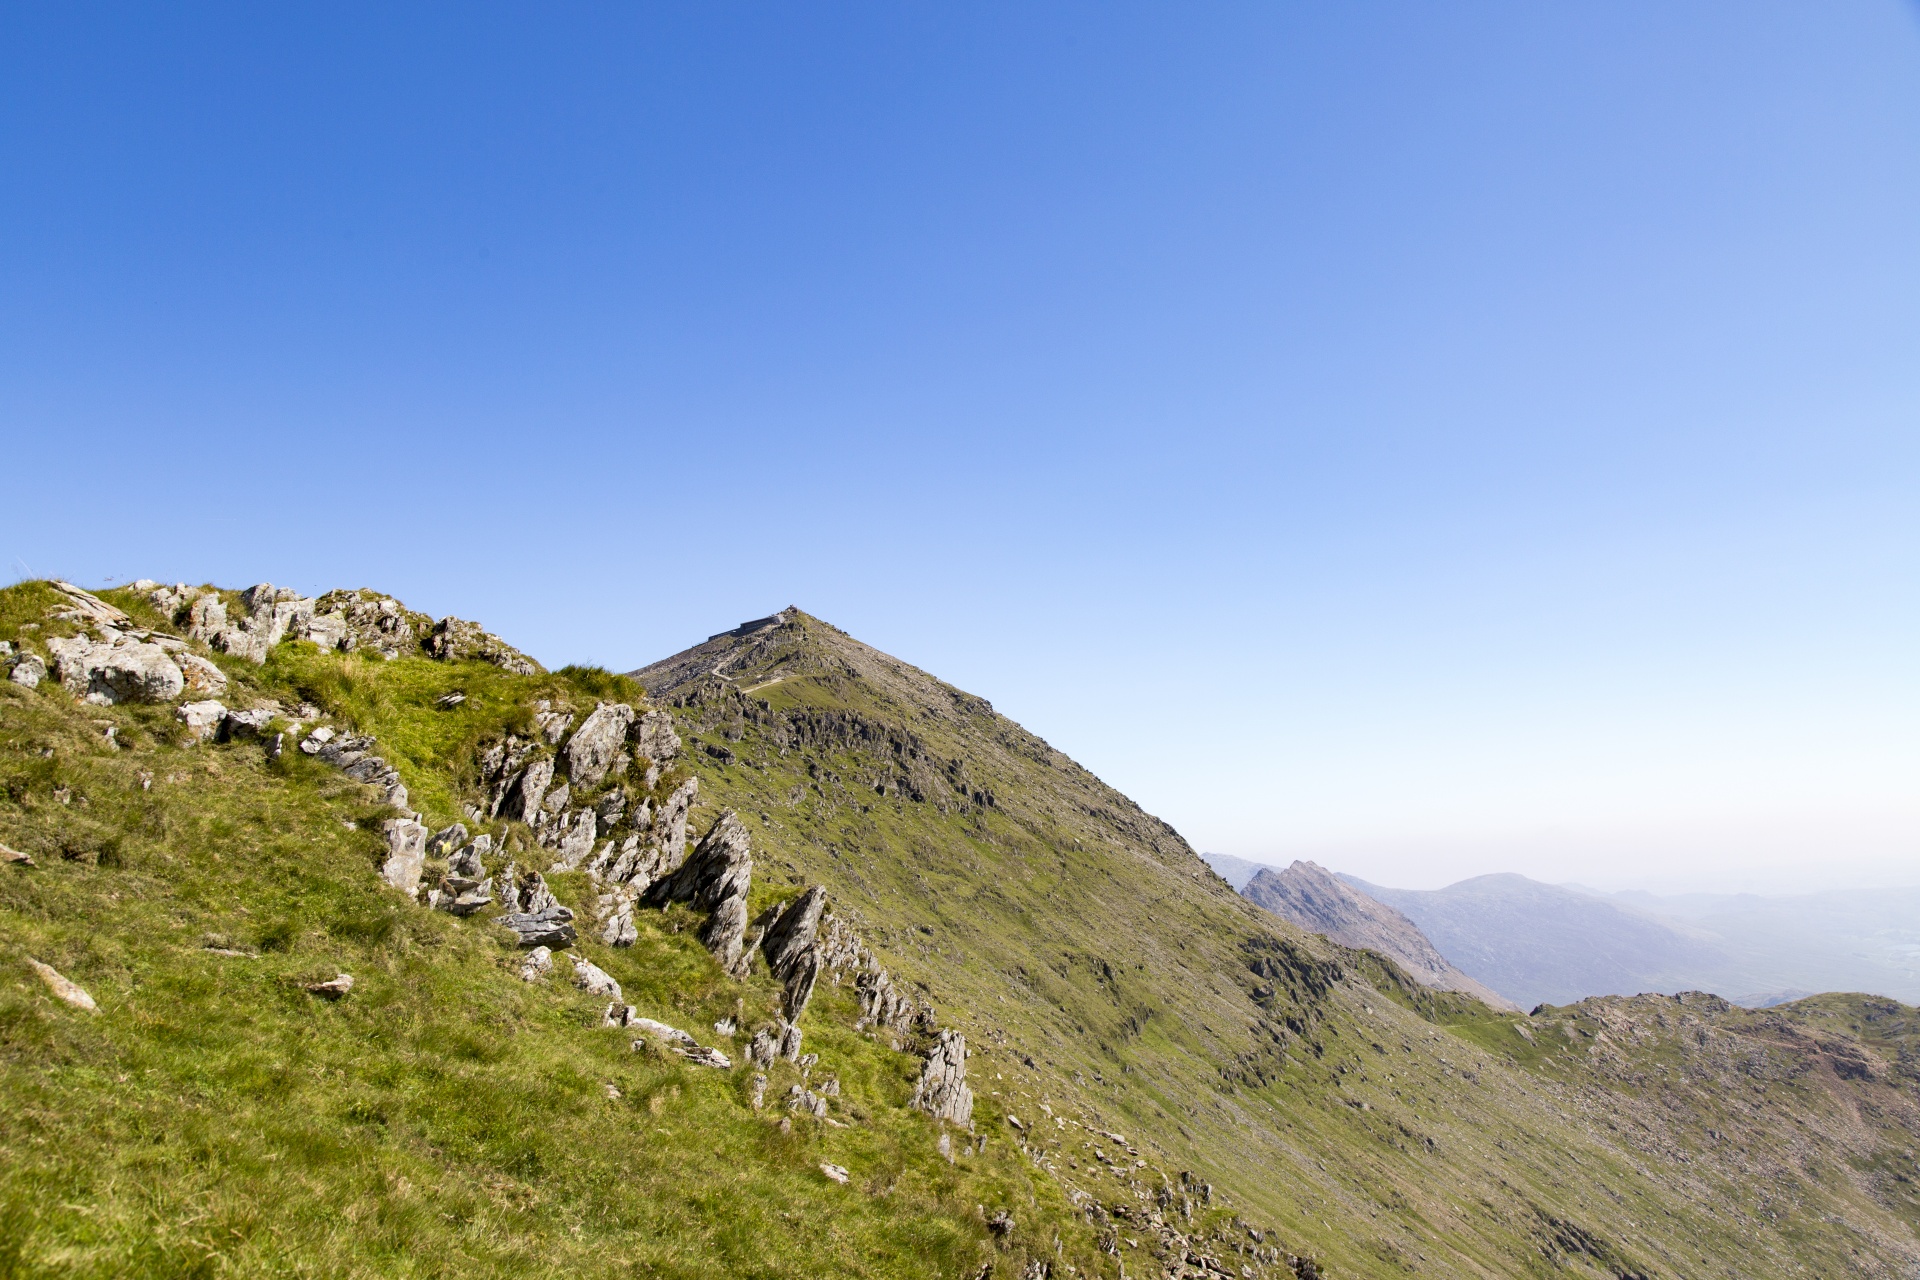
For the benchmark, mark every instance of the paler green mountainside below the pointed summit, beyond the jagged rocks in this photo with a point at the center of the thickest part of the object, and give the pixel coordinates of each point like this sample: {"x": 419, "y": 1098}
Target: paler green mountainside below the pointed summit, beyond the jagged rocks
{"x": 1376, "y": 1126}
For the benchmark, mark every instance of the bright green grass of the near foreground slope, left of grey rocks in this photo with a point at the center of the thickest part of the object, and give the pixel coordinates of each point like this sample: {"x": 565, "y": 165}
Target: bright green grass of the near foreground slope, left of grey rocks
{"x": 443, "y": 1120}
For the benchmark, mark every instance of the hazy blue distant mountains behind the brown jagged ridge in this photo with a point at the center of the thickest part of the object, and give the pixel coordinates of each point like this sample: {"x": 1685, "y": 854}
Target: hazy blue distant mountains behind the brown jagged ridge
{"x": 1539, "y": 943}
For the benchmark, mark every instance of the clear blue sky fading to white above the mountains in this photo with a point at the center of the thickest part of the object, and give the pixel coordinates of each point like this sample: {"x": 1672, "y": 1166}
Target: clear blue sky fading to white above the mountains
{"x": 1431, "y": 439}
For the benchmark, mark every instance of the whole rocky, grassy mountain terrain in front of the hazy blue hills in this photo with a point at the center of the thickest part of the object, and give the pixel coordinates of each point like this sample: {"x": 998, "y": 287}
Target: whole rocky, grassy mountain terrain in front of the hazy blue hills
{"x": 350, "y": 941}
